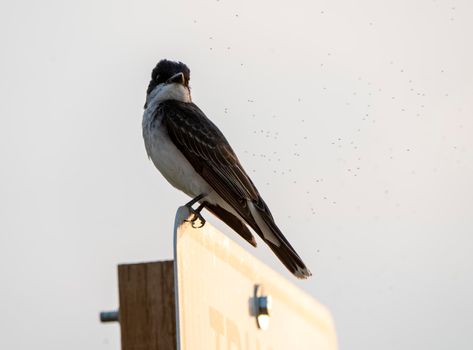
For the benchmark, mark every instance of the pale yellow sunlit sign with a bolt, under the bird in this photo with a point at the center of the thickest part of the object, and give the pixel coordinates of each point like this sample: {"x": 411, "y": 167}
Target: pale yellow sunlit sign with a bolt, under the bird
{"x": 221, "y": 289}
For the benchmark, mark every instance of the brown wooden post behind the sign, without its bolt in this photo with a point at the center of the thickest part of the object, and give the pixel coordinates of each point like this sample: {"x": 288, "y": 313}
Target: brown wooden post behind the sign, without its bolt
{"x": 147, "y": 306}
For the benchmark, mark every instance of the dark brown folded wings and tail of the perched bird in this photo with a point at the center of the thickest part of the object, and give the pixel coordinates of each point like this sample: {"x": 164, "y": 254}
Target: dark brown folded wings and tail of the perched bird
{"x": 205, "y": 147}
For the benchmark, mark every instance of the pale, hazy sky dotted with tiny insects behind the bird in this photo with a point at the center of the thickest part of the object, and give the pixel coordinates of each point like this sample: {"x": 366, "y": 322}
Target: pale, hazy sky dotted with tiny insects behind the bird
{"x": 355, "y": 120}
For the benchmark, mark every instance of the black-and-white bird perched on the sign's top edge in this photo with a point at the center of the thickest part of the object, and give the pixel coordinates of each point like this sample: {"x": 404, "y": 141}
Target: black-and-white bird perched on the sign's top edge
{"x": 194, "y": 156}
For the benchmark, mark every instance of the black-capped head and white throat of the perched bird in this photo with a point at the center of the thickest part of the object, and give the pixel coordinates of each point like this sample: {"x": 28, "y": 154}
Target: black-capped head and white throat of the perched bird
{"x": 169, "y": 80}
